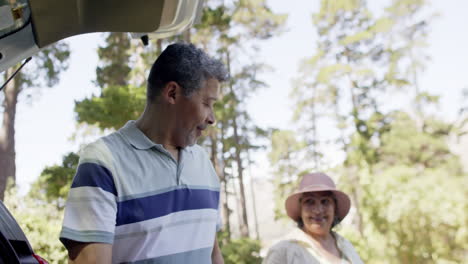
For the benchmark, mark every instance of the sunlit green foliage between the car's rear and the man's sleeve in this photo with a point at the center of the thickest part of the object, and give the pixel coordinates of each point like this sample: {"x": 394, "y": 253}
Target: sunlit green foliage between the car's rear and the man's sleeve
{"x": 41, "y": 222}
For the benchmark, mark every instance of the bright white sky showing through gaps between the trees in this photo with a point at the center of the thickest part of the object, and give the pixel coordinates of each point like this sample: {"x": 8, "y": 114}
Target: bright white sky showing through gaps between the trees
{"x": 44, "y": 128}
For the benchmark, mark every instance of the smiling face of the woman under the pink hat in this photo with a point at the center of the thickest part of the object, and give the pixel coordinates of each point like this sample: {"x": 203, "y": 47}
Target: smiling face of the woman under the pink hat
{"x": 317, "y": 212}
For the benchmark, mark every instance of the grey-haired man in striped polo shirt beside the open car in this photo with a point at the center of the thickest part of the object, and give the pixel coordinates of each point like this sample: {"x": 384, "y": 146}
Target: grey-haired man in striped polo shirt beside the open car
{"x": 147, "y": 193}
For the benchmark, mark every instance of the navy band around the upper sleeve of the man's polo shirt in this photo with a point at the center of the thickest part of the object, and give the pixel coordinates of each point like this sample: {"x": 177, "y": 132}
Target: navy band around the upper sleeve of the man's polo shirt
{"x": 94, "y": 175}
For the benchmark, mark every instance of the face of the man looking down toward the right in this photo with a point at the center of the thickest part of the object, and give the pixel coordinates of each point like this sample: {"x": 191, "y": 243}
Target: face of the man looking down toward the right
{"x": 195, "y": 113}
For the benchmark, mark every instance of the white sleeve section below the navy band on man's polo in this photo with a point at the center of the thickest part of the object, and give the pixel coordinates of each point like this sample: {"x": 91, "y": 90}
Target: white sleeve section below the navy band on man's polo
{"x": 90, "y": 208}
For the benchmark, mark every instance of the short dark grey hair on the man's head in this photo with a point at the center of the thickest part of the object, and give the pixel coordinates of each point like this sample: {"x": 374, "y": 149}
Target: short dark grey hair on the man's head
{"x": 186, "y": 65}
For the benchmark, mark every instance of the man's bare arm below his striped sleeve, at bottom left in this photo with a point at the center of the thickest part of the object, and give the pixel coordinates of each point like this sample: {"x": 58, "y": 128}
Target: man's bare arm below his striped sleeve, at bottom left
{"x": 88, "y": 252}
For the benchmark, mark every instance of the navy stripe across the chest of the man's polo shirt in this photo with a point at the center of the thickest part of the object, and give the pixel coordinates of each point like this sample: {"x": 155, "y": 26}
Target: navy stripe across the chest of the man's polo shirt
{"x": 141, "y": 209}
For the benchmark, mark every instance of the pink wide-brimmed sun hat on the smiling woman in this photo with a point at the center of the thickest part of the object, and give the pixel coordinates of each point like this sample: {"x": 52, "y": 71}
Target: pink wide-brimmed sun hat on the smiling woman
{"x": 316, "y": 182}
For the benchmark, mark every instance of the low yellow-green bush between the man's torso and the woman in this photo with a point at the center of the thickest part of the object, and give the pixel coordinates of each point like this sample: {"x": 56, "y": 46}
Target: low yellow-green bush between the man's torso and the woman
{"x": 239, "y": 251}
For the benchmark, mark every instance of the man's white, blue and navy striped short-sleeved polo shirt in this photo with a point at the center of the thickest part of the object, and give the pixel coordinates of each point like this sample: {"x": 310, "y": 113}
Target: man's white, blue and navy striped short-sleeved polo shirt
{"x": 130, "y": 192}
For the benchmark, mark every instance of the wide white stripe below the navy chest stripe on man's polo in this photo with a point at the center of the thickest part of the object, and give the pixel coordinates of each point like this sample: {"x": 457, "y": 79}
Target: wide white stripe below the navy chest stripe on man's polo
{"x": 176, "y": 233}
